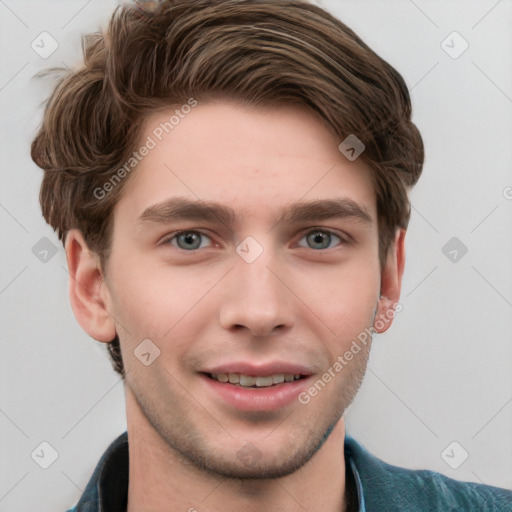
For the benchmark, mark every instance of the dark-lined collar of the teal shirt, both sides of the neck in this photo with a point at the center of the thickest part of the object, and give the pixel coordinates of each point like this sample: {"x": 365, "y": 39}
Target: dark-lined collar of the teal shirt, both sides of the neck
{"x": 107, "y": 489}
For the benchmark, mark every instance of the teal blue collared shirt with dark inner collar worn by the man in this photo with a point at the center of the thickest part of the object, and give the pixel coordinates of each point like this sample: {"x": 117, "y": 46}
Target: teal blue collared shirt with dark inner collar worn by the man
{"x": 381, "y": 487}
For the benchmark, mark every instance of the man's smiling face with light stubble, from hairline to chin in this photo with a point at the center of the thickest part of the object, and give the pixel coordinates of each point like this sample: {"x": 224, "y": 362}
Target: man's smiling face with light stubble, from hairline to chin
{"x": 265, "y": 293}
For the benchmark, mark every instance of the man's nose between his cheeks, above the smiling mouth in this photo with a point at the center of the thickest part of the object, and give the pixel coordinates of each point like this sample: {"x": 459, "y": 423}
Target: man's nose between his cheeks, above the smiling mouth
{"x": 257, "y": 297}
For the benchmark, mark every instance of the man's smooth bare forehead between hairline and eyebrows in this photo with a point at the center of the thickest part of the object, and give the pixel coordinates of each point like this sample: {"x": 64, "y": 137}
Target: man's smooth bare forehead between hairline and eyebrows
{"x": 257, "y": 160}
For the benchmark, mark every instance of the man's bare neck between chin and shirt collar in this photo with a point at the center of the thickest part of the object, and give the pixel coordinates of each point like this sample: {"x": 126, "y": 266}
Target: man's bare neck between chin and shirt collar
{"x": 160, "y": 479}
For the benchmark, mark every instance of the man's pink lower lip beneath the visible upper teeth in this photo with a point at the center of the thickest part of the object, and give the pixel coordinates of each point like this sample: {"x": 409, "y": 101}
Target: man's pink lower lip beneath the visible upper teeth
{"x": 269, "y": 398}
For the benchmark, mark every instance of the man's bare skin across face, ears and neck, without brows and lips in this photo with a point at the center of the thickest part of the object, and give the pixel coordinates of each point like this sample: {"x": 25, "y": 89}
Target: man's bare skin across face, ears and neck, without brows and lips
{"x": 296, "y": 302}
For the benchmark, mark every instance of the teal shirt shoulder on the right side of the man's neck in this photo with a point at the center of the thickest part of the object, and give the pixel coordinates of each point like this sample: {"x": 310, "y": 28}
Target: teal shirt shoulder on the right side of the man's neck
{"x": 384, "y": 484}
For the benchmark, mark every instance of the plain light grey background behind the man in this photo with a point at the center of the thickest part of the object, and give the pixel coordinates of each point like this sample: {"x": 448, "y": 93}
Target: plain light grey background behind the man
{"x": 443, "y": 371}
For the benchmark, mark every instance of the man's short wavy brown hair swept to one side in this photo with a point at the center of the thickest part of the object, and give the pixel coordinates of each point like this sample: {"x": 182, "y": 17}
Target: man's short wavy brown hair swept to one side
{"x": 261, "y": 52}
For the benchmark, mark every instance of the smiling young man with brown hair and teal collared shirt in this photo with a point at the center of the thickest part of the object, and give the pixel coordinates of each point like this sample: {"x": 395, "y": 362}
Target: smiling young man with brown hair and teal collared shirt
{"x": 230, "y": 181}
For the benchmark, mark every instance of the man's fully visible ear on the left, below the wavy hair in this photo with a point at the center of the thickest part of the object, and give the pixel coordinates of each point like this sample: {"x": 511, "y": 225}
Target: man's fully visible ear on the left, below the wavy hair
{"x": 87, "y": 295}
